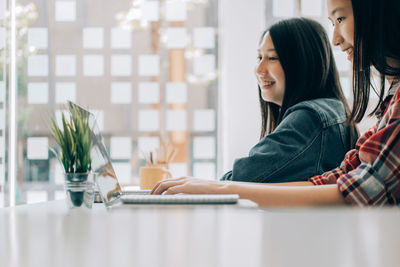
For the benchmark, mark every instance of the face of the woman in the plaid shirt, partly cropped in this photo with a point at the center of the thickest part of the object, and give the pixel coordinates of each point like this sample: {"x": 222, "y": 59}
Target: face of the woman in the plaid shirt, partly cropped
{"x": 341, "y": 15}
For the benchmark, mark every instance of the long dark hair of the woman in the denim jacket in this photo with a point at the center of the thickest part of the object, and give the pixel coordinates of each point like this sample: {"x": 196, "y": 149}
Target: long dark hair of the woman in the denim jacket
{"x": 307, "y": 60}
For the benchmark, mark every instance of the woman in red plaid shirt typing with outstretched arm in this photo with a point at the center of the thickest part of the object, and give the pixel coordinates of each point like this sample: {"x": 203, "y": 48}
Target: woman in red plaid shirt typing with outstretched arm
{"x": 367, "y": 30}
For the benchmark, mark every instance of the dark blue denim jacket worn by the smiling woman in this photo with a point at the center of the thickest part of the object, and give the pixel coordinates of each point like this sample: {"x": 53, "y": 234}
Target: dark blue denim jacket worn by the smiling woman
{"x": 311, "y": 139}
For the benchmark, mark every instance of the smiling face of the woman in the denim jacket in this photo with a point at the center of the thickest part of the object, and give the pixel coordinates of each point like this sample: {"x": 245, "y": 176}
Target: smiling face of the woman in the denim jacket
{"x": 269, "y": 72}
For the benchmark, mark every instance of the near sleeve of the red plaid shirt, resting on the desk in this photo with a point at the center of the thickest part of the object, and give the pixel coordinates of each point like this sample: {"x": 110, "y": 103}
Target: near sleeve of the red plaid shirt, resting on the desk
{"x": 376, "y": 180}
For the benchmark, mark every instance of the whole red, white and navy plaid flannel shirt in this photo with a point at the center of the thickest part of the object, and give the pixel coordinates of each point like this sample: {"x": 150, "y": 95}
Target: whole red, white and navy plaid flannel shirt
{"x": 370, "y": 173}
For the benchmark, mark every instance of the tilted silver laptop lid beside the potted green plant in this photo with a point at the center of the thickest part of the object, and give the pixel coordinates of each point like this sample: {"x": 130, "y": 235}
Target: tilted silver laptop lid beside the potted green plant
{"x": 106, "y": 180}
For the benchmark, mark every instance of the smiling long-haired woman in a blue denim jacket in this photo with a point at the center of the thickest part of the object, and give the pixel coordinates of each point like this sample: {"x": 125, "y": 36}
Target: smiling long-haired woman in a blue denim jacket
{"x": 304, "y": 112}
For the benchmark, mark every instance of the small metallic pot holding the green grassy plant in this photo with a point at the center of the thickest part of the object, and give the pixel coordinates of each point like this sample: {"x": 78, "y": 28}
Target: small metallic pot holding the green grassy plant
{"x": 79, "y": 188}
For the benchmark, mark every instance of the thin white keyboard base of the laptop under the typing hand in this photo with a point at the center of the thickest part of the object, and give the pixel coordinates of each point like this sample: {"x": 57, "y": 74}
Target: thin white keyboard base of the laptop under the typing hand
{"x": 180, "y": 199}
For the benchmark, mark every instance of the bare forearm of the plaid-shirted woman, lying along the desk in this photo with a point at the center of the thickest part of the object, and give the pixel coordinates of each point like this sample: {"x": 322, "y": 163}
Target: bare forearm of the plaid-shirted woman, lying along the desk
{"x": 267, "y": 195}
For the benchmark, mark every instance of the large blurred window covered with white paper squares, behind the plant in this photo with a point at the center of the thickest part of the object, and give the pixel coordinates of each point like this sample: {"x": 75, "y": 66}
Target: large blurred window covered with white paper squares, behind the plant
{"x": 147, "y": 69}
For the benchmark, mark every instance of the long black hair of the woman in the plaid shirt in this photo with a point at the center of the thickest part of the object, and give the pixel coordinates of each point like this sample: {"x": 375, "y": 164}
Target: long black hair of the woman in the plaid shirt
{"x": 376, "y": 38}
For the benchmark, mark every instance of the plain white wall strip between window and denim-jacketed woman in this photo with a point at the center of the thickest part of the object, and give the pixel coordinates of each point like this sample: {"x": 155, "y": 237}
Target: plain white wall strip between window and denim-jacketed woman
{"x": 240, "y": 25}
